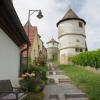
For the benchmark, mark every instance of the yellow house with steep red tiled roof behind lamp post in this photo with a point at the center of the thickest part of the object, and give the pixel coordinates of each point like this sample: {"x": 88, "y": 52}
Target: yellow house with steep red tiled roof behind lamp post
{"x": 36, "y": 43}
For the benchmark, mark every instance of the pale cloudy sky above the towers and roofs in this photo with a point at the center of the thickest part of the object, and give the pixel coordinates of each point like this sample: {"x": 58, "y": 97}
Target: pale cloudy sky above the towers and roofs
{"x": 54, "y": 10}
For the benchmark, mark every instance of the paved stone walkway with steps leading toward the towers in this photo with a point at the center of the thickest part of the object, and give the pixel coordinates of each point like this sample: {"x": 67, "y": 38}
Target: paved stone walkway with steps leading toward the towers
{"x": 60, "y": 87}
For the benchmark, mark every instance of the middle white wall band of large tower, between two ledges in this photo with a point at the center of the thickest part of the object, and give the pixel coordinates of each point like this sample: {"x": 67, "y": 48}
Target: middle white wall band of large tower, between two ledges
{"x": 72, "y": 41}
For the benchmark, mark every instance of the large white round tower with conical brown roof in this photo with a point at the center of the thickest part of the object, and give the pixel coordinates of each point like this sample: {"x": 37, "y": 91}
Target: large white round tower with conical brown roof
{"x": 71, "y": 30}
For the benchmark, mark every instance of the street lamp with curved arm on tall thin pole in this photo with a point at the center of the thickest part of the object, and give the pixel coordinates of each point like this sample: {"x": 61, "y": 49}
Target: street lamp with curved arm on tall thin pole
{"x": 39, "y": 16}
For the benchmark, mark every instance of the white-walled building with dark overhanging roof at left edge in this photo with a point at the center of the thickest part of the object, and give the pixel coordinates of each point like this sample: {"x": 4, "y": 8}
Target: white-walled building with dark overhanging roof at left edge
{"x": 12, "y": 38}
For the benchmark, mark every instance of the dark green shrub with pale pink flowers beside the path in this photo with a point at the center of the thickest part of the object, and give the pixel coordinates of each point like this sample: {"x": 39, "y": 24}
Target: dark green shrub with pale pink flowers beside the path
{"x": 34, "y": 79}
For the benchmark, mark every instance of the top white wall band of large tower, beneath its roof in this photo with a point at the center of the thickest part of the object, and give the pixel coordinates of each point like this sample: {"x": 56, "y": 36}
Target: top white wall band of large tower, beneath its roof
{"x": 71, "y": 26}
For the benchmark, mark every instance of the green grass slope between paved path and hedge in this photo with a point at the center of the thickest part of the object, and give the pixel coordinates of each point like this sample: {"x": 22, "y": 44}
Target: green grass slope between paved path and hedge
{"x": 88, "y": 81}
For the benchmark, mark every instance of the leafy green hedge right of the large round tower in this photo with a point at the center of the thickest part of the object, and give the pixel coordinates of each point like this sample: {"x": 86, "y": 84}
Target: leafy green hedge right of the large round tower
{"x": 90, "y": 58}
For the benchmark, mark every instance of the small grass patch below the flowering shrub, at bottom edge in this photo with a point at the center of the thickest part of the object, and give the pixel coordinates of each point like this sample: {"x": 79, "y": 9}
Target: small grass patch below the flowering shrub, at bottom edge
{"x": 35, "y": 96}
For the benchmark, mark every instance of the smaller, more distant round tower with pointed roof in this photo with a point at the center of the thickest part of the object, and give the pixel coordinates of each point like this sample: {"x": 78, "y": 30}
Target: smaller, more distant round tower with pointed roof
{"x": 52, "y": 50}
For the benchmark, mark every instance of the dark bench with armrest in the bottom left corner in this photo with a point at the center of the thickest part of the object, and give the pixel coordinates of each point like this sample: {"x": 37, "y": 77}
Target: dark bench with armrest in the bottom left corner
{"x": 7, "y": 92}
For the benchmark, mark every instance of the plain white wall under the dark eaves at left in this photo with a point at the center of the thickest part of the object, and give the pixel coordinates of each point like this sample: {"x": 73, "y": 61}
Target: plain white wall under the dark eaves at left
{"x": 9, "y": 58}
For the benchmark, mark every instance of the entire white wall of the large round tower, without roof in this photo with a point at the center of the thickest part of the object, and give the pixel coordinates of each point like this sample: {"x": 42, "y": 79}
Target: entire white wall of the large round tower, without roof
{"x": 71, "y": 36}
